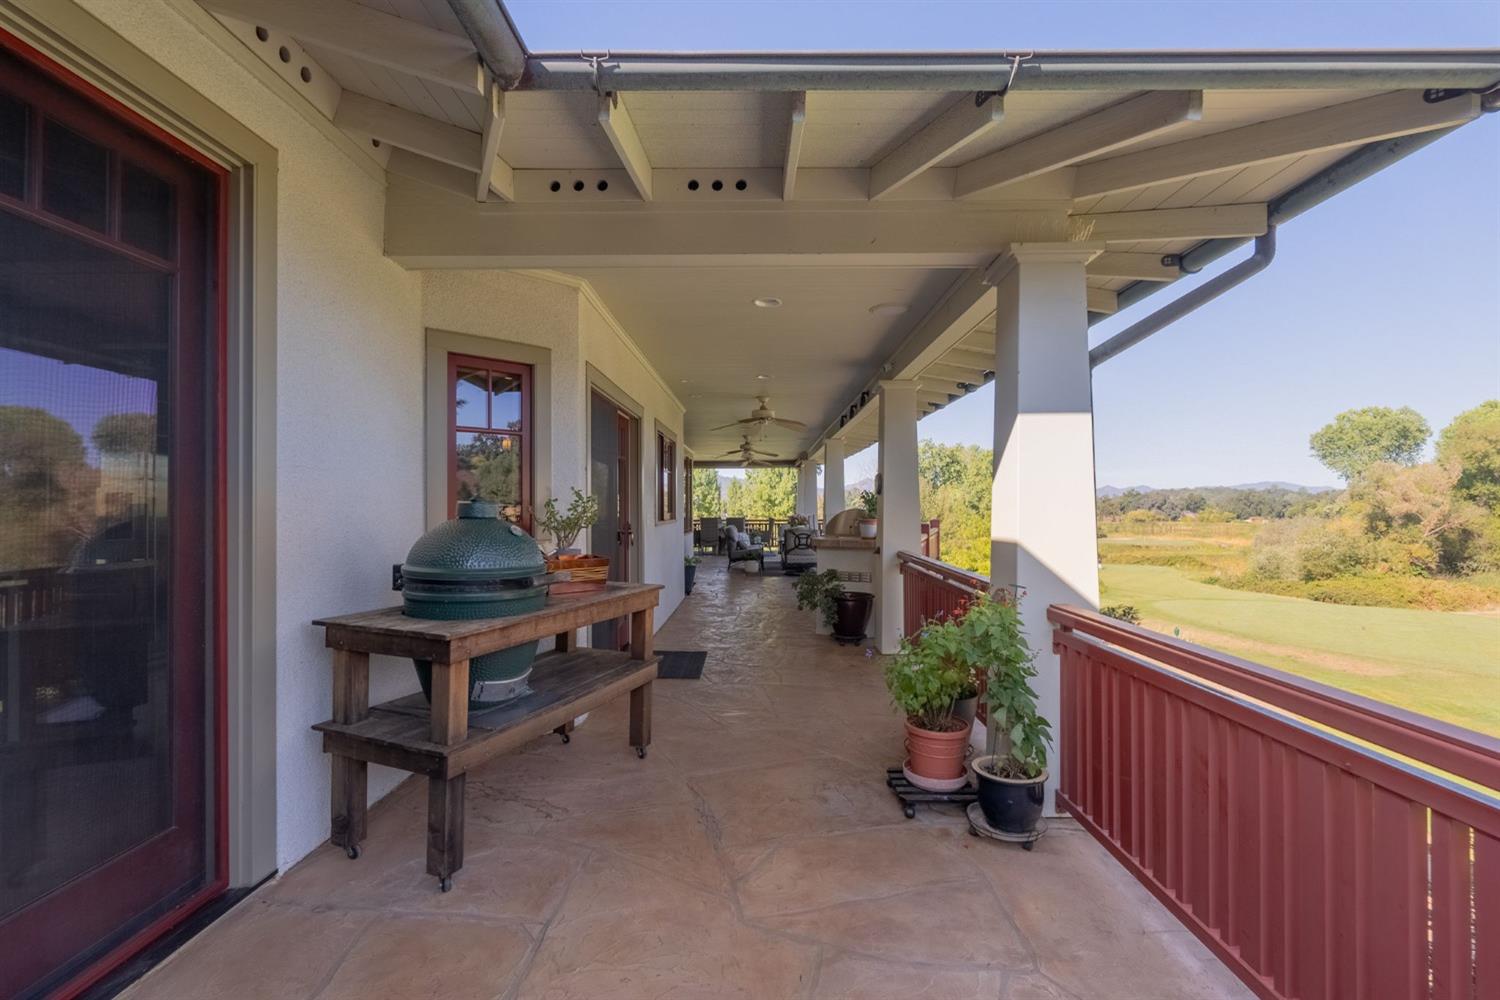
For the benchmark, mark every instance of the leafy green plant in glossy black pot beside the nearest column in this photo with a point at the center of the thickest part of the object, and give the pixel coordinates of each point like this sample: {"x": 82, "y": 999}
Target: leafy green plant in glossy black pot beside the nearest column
{"x": 1015, "y": 768}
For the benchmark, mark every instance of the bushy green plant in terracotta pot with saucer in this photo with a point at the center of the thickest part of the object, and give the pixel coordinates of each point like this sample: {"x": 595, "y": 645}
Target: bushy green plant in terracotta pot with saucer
{"x": 928, "y": 680}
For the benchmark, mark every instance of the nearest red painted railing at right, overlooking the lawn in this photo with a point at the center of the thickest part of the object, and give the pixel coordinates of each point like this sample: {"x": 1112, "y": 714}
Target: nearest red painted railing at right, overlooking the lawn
{"x": 1315, "y": 866}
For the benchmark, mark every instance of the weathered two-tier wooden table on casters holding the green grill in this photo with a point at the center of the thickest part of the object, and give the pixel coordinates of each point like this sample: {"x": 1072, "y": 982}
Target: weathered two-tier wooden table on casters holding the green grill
{"x": 442, "y": 741}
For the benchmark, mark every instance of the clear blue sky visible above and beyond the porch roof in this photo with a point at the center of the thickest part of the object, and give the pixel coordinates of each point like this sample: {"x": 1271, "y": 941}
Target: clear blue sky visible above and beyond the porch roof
{"x": 1388, "y": 295}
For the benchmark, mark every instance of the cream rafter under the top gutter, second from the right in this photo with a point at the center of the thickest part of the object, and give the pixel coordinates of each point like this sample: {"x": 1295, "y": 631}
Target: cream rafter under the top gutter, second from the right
{"x": 1091, "y": 136}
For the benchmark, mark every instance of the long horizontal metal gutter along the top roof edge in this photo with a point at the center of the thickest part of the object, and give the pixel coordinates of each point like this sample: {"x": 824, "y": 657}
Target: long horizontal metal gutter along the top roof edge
{"x": 1472, "y": 70}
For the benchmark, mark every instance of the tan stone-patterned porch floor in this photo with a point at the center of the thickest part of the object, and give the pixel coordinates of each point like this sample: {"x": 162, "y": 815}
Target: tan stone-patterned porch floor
{"x": 755, "y": 852}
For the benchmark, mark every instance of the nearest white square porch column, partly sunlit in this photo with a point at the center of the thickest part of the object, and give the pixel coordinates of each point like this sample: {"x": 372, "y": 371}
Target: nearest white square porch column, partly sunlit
{"x": 1042, "y": 516}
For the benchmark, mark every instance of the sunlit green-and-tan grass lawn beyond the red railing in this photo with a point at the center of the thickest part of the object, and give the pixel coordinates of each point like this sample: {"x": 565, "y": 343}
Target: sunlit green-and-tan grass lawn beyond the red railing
{"x": 1439, "y": 663}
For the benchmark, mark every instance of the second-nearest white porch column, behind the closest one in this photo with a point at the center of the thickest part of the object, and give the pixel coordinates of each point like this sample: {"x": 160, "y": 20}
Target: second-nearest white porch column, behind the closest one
{"x": 901, "y": 507}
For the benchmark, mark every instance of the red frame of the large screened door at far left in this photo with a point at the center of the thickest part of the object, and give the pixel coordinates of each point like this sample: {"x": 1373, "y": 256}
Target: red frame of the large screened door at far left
{"x": 218, "y": 582}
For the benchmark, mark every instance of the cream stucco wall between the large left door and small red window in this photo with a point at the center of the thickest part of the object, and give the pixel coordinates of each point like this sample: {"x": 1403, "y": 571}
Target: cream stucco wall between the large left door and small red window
{"x": 349, "y": 493}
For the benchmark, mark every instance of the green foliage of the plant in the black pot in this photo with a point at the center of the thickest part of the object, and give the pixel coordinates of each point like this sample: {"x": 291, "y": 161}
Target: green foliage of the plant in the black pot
{"x": 997, "y": 644}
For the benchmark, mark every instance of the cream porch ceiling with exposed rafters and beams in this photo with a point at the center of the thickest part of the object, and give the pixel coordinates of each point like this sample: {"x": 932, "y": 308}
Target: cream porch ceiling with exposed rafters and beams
{"x": 680, "y": 206}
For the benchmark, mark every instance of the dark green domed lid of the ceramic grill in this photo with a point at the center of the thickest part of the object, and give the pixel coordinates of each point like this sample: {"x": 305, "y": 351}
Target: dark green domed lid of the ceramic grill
{"x": 475, "y": 546}
